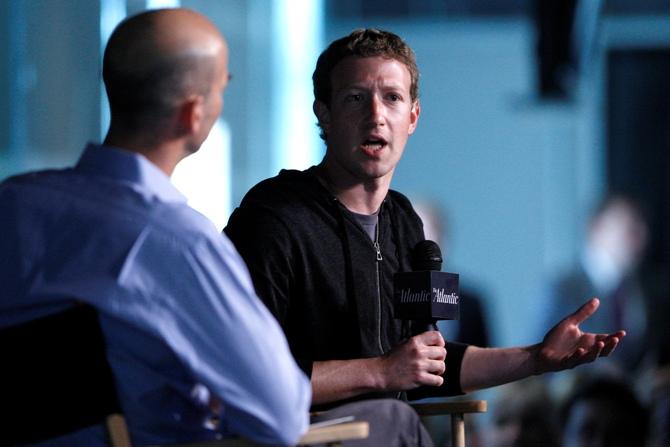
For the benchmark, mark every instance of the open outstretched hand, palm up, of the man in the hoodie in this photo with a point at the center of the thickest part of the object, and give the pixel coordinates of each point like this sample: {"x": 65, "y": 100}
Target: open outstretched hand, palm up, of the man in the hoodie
{"x": 566, "y": 345}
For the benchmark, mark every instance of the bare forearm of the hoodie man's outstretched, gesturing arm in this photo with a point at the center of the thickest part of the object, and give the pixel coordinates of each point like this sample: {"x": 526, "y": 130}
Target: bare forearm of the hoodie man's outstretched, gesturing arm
{"x": 488, "y": 367}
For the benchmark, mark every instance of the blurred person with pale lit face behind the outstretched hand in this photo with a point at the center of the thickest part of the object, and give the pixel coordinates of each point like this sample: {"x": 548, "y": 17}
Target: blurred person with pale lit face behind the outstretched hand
{"x": 608, "y": 268}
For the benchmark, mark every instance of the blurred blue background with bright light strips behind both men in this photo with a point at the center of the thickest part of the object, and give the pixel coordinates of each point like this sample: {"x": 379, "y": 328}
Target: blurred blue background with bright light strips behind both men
{"x": 532, "y": 113}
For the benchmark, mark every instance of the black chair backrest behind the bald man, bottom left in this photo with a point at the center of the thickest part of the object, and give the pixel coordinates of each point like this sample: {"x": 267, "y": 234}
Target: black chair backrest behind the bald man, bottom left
{"x": 54, "y": 377}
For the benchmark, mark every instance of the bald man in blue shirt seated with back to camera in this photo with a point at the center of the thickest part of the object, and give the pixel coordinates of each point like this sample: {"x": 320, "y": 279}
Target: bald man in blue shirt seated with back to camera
{"x": 177, "y": 306}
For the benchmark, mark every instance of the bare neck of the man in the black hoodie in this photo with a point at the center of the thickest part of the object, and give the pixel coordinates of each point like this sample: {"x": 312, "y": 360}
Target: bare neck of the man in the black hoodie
{"x": 359, "y": 196}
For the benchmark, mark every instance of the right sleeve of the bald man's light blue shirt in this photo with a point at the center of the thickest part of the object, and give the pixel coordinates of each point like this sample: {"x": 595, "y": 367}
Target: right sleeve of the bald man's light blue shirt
{"x": 205, "y": 307}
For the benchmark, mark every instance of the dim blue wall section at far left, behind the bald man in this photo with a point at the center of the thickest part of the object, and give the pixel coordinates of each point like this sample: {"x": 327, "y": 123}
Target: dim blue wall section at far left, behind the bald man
{"x": 50, "y": 82}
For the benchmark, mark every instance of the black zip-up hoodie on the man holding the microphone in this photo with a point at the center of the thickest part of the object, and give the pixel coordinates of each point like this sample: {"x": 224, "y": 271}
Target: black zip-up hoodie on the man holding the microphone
{"x": 319, "y": 272}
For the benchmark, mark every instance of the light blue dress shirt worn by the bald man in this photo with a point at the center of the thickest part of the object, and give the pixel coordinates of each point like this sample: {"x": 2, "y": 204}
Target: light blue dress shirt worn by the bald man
{"x": 182, "y": 322}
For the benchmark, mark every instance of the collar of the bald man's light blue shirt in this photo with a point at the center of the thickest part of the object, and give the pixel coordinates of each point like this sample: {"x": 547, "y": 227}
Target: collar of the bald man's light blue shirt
{"x": 123, "y": 165}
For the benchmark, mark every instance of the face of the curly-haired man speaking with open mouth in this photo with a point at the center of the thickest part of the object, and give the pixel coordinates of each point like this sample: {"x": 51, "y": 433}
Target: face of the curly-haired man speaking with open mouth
{"x": 371, "y": 115}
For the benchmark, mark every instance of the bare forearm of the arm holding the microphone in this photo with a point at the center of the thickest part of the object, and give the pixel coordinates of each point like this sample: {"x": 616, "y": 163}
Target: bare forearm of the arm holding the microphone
{"x": 335, "y": 380}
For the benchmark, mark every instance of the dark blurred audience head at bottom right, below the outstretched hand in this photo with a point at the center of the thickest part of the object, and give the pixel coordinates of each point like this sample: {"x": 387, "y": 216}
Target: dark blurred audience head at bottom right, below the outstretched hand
{"x": 604, "y": 412}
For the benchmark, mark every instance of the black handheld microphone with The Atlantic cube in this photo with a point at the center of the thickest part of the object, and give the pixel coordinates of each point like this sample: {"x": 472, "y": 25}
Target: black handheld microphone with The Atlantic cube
{"x": 426, "y": 294}
